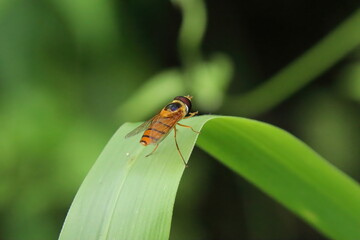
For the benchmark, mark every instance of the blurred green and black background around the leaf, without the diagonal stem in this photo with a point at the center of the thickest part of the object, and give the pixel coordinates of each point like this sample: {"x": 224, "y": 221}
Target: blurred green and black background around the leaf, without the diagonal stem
{"x": 72, "y": 71}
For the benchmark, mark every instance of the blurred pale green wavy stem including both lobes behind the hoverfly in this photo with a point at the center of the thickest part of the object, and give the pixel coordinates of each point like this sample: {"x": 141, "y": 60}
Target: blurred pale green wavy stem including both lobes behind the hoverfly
{"x": 205, "y": 79}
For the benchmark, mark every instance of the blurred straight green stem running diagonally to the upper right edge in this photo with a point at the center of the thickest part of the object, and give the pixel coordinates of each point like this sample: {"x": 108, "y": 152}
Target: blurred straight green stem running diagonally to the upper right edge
{"x": 314, "y": 62}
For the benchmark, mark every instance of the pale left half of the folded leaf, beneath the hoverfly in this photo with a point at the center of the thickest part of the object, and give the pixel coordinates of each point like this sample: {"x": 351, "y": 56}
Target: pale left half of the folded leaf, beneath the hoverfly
{"x": 127, "y": 195}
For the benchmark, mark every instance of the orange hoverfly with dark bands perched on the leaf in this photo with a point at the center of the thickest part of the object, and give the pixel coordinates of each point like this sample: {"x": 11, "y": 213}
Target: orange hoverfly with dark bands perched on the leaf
{"x": 158, "y": 127}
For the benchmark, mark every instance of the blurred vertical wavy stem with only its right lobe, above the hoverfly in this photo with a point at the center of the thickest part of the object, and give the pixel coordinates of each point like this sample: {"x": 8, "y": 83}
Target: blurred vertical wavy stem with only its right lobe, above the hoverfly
{"x": 206, "y": 79}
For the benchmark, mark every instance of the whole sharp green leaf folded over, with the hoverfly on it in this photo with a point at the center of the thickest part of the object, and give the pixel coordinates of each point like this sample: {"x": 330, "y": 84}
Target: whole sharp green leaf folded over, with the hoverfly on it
{"x": 129, "y": 196}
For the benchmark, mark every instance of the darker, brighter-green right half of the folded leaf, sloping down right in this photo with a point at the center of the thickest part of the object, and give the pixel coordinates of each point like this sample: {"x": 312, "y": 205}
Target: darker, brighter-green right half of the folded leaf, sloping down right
{"x": 289, "y": 171}
